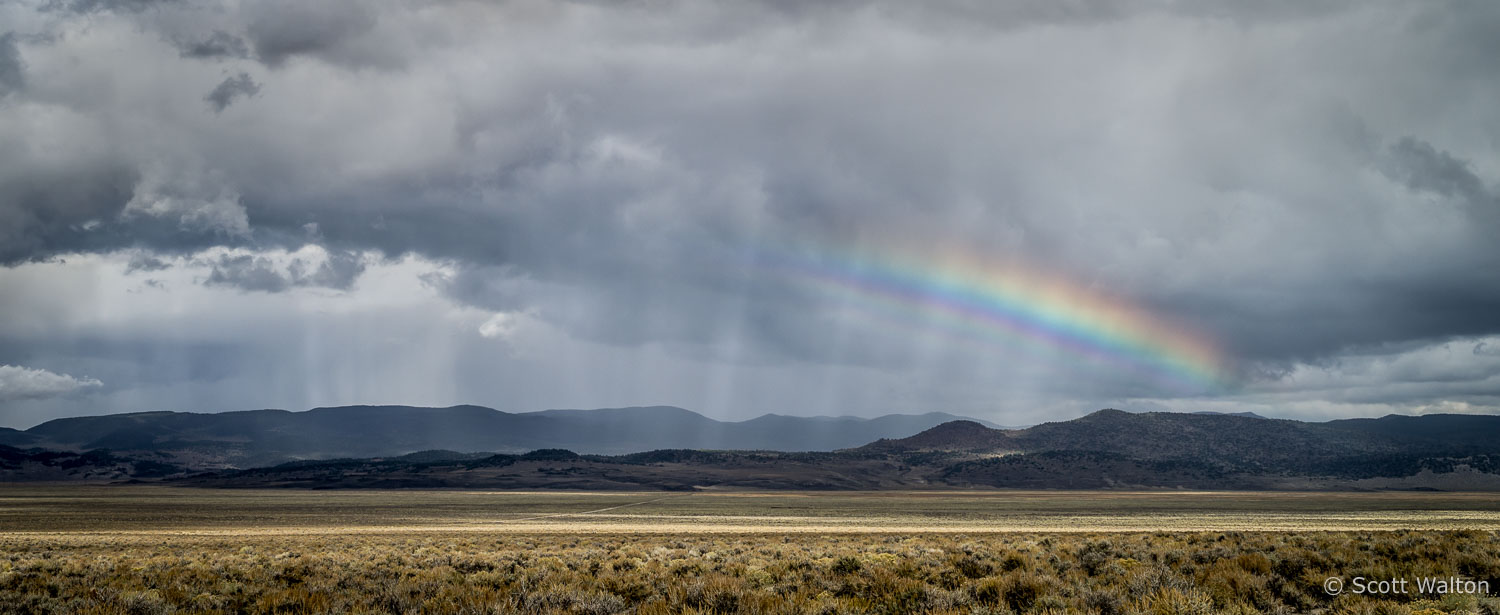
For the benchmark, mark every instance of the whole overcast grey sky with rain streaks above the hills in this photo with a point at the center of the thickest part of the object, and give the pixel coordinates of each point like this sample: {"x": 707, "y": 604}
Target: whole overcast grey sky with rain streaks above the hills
{"x": 212, "y": 206}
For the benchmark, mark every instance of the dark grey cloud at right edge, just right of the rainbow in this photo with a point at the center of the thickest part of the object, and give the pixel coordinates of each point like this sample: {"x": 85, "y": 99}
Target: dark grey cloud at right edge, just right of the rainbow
{"x": 1396, "y": 293}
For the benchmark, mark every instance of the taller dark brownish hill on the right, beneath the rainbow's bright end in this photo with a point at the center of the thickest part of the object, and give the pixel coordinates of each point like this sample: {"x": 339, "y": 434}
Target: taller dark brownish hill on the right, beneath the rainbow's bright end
{"x": 1115, "y": 448}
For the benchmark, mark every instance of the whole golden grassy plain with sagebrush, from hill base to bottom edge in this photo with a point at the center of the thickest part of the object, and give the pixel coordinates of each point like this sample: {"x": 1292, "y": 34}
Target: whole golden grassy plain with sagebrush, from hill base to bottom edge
{"x": 163, "y": 551}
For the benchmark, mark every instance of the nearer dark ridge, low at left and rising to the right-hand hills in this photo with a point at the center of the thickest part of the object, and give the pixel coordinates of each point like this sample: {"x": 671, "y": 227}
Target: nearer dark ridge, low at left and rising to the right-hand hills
{"x": 1103, "y": 451}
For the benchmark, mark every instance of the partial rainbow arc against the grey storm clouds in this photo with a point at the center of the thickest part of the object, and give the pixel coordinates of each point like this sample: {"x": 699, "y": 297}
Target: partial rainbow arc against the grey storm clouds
{"x": 1024, "y": 308}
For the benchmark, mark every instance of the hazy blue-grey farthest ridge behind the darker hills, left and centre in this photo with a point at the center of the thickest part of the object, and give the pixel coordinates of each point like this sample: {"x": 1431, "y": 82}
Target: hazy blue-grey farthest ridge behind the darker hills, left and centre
{"x": 268, "y": 437}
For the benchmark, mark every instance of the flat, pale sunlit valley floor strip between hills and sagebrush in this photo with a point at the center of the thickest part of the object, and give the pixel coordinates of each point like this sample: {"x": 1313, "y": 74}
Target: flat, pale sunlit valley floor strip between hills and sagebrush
{"x": 155, "y": 511}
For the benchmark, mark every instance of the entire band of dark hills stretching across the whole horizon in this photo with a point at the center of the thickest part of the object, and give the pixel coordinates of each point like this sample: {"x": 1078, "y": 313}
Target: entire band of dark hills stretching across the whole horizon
{"x": 1103, "y": 451}
